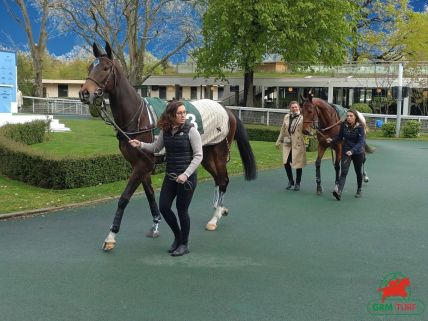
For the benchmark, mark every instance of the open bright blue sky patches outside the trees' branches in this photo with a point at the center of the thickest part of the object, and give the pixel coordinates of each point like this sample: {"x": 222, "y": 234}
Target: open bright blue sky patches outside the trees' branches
{"x": 12, "y": 35}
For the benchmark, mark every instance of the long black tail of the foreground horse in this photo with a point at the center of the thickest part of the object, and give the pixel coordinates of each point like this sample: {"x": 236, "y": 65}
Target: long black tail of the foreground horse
{"x": 245, "y": 150}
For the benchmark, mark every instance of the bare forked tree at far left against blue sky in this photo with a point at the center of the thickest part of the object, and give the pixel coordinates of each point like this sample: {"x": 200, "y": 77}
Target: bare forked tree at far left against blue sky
{"x": 37, "y": 49}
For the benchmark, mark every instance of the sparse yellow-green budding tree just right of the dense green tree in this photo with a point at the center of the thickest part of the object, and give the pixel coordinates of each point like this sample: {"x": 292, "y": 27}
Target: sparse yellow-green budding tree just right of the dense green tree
{"x": 376, "y": 32}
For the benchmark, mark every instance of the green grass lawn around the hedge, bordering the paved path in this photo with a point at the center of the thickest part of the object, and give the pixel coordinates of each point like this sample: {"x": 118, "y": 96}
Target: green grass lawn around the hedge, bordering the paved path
{"x": 89, "y": 137}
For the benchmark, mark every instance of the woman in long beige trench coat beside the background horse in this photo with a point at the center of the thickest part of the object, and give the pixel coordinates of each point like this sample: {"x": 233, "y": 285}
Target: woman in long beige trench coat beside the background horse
{"x": 293, "y": 145}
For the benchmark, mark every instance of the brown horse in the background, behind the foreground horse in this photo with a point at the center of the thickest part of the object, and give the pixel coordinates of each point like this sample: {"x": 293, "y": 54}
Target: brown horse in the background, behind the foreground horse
{"x": 320, "y": 116}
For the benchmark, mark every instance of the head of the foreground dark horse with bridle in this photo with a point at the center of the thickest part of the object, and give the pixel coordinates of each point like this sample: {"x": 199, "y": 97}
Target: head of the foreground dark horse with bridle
{"x": 101, "y": 77}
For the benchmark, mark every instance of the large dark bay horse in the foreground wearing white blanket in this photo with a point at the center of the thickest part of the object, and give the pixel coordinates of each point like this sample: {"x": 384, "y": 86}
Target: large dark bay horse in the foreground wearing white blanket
{"x": 133, "y": 118}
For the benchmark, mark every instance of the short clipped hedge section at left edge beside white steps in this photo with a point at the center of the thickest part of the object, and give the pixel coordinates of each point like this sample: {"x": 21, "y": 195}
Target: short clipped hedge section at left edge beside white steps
{"x": 29, "y": 133}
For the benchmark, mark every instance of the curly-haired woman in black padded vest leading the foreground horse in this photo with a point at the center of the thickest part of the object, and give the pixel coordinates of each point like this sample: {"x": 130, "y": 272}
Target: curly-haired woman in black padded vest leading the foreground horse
{"x": 183, "y": 148}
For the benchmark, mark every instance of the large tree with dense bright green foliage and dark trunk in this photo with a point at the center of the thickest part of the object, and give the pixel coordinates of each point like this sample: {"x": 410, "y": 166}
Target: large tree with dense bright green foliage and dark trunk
{"x": 237, "y": 34}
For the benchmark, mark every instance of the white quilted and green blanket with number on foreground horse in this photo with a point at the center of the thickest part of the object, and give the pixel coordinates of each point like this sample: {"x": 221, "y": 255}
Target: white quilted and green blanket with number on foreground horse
{"x": 207, "y": 116}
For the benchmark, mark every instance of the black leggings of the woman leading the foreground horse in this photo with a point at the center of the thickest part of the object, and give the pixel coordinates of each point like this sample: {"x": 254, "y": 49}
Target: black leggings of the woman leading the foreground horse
{"x": 170, "y": 190}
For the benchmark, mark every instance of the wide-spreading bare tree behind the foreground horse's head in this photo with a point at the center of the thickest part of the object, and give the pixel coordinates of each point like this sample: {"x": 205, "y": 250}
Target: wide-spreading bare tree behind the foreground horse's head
{"x": 132, "y": 27}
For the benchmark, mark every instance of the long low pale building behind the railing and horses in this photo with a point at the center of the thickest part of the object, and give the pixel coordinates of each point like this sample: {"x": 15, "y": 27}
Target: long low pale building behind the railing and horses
{"x": 380, "y": 93}
